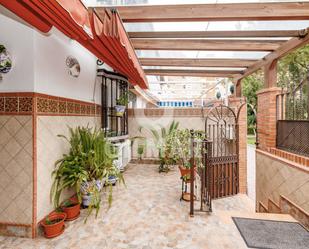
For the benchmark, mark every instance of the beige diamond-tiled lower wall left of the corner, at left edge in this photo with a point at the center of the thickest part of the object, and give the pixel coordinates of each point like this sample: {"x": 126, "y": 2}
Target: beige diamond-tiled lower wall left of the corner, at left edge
{"x": 16, "y": 174}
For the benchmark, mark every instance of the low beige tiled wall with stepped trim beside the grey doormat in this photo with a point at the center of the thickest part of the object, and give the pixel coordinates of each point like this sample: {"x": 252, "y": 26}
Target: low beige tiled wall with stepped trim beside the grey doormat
{"x": 279, "y": 183}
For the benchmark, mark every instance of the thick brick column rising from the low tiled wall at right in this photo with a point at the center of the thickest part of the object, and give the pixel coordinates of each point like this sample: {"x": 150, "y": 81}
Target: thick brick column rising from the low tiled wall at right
{"x": 267, "y": 117}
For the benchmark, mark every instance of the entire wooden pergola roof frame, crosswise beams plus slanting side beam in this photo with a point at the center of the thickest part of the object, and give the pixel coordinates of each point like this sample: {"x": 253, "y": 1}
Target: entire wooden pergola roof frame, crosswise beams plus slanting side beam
{"x": 276, "y": 42}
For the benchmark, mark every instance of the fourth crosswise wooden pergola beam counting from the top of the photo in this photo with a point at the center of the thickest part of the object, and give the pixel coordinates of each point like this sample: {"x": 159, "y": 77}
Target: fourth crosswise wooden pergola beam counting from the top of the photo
{"x": 182, "y": 62}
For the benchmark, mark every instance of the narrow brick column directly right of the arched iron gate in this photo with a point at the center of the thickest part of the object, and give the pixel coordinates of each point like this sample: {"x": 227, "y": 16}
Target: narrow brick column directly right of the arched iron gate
{"x": 238, "y": 103}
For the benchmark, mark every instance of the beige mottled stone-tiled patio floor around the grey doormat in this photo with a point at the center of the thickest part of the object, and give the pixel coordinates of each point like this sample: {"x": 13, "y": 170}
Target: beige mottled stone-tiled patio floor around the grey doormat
{"x": 147, "y": 214}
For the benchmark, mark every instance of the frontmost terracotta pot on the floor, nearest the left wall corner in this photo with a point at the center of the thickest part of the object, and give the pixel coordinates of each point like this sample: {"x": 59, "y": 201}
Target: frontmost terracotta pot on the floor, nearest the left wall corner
{"x": 53, "y": 230}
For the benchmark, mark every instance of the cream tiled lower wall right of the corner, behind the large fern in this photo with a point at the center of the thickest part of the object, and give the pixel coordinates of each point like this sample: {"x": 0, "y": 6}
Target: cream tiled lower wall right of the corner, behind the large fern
{"x": 50, "y": 148}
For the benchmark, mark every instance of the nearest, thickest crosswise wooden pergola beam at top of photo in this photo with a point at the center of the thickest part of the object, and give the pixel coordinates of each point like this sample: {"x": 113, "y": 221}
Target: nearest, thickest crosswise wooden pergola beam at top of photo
{"x": 214, "y": 12}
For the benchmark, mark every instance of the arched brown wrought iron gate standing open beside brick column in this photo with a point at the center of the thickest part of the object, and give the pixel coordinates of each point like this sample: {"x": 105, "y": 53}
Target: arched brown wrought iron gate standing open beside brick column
{"x": 221, "y": 161}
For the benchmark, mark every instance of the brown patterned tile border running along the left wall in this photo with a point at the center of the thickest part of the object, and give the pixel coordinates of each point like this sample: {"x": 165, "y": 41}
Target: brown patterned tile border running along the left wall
{"x": 24, "y": 104}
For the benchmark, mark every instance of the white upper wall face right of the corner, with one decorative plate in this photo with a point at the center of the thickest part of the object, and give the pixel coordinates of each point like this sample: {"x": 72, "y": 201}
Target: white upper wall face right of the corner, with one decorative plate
{"x": 51, "y": 75}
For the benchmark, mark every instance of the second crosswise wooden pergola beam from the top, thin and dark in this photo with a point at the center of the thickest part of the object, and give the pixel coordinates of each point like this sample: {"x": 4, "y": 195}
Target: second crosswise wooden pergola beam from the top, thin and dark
{"x": 217, "y": 34}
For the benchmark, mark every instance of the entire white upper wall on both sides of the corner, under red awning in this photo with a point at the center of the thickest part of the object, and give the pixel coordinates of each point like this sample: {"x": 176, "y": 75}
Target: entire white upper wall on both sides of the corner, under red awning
{"x": 39, "y": 62}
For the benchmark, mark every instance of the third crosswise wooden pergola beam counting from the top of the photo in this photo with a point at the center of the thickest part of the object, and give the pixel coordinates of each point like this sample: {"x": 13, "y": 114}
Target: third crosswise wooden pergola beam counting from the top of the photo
{"x": 202, "y": 44}
